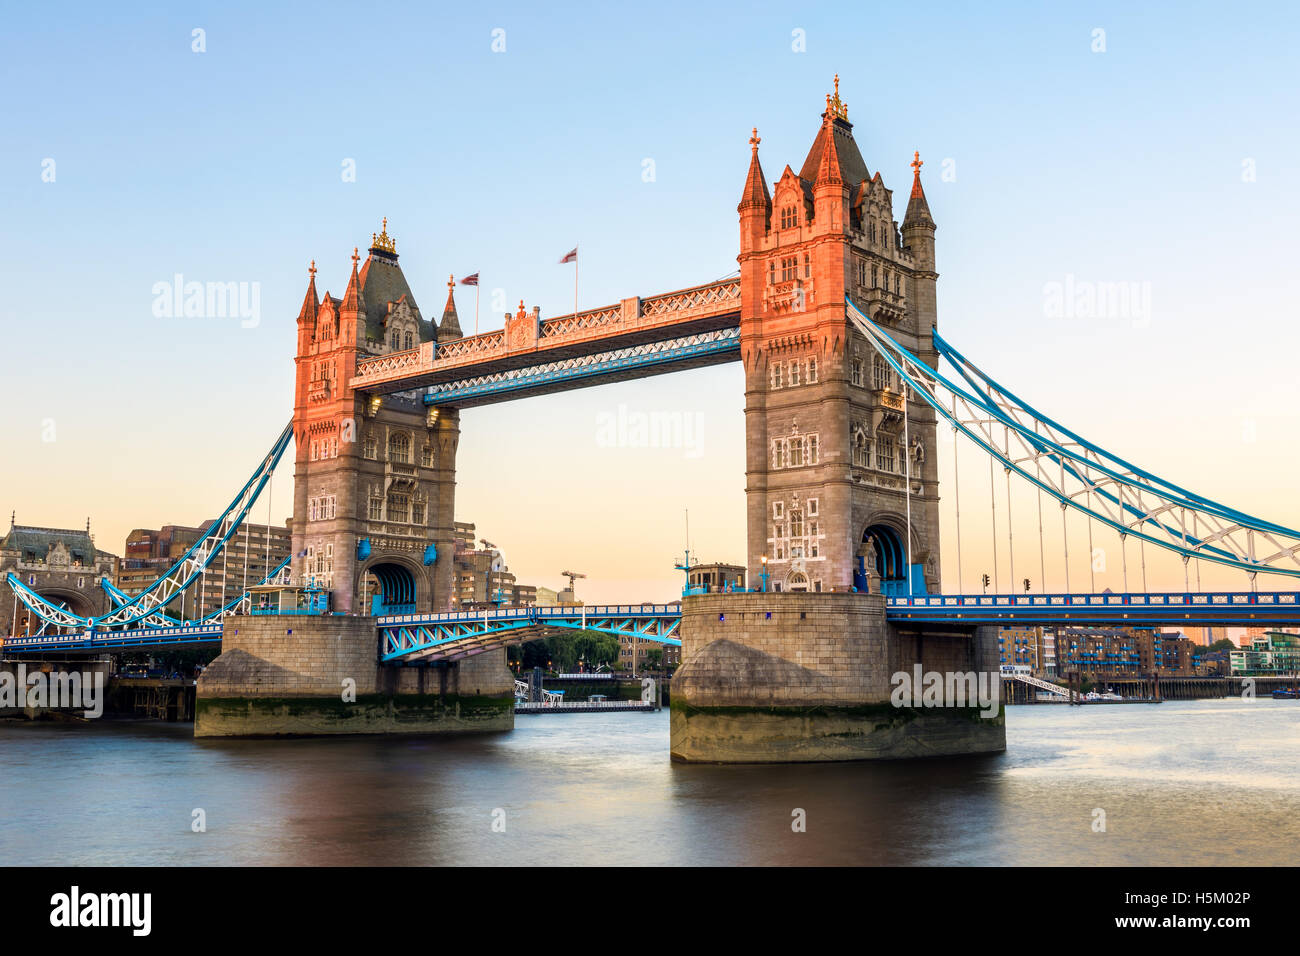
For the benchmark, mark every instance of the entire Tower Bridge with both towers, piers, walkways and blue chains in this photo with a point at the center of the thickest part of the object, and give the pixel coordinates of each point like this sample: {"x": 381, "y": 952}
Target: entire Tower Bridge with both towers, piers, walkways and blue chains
{"x": 834, "y": 319}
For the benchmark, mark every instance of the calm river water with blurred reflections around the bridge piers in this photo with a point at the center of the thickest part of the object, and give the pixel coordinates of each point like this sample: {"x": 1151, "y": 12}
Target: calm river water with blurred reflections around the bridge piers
{"x": 1201, "y": 782}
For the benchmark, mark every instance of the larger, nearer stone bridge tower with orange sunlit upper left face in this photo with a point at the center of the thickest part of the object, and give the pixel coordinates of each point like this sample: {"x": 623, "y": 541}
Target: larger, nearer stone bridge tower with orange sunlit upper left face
{"x": 826, "y": 442}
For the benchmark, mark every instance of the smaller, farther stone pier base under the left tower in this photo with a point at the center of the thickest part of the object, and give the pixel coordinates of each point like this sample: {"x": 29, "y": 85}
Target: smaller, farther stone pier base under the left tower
{"x": 318, "y": 676}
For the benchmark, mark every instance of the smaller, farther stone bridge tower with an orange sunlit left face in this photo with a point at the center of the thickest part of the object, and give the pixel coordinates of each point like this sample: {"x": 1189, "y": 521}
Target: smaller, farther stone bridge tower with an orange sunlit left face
{"x": 374, "y": 478}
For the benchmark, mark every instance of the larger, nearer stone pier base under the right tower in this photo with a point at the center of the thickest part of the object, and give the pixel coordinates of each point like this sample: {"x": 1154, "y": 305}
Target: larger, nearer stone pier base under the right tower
{"x": 814, "y": 677}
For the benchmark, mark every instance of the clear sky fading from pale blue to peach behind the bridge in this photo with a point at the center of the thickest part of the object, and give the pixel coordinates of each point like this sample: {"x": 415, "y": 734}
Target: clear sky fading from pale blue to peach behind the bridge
{"x": 1150, "y": 146}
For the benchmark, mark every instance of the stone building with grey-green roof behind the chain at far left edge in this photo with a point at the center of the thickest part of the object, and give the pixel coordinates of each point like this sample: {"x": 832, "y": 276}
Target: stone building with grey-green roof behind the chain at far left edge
{"x": 62, "y": 565}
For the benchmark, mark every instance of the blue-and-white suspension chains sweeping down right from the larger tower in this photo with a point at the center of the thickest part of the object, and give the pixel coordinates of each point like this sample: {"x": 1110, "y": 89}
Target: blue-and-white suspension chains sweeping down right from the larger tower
{"x": 1080, "y": 474}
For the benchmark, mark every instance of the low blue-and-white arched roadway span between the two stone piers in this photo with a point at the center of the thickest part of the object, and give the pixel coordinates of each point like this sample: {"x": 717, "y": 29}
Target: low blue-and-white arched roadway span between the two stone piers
{"x": 410, "y": 638}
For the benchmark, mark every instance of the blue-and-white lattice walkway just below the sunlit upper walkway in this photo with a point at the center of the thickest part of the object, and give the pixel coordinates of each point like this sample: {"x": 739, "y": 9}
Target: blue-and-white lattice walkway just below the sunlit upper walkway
{"x": 718, "y": 345}
